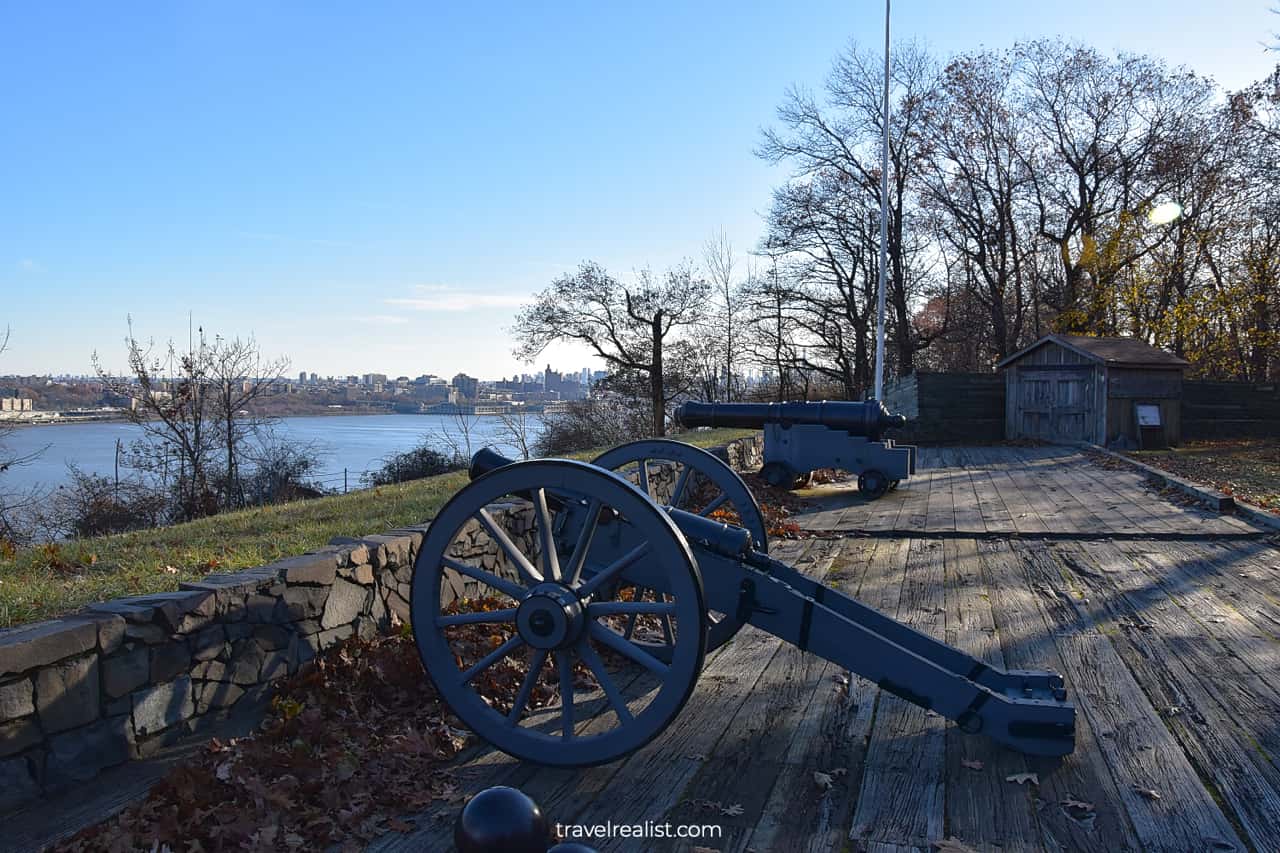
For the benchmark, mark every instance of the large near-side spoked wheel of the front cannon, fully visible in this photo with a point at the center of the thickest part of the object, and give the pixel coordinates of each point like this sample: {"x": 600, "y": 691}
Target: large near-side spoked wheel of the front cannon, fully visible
{"x": 586, "y": 695}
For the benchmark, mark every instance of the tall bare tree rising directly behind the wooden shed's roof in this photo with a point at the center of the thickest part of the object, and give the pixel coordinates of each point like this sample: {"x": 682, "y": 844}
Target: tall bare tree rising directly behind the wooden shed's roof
{"x": 1103, "y": 129}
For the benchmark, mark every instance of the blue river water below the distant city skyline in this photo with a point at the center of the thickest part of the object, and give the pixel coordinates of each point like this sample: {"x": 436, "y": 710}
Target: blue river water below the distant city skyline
{"x": 355, "y": 444}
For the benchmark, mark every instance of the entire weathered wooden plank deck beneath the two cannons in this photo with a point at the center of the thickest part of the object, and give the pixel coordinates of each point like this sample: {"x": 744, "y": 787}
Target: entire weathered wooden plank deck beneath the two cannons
{"x": 1164, "y": 619}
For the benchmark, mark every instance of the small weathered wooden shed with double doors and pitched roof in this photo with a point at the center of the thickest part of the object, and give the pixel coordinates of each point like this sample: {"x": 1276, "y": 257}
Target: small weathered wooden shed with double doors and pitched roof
{"x": 1071, "y": 387}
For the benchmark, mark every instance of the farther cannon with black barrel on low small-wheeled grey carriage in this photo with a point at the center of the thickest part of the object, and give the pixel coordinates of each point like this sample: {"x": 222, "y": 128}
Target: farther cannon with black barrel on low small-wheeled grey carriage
{"x": 801, "y": 437}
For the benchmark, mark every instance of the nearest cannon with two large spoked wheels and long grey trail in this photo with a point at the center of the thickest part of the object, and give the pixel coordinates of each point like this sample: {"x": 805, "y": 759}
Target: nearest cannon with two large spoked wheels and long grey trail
{"x": 609, "y": 603}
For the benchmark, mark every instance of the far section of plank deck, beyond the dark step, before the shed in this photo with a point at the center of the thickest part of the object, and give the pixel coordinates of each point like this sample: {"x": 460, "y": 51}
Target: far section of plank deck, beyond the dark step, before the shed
{"x": 1018, "y": 491}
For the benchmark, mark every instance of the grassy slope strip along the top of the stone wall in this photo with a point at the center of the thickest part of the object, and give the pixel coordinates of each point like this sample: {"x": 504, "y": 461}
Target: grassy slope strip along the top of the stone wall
{"x": 40, "y": 583}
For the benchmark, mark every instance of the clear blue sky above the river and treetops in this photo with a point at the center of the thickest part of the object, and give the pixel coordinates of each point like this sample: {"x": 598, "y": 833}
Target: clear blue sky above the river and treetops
{"x": 374, "y": 188}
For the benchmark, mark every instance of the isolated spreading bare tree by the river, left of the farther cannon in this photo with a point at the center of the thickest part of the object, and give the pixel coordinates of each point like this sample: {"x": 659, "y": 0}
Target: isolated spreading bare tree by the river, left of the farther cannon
{"x": 627, "y": 326}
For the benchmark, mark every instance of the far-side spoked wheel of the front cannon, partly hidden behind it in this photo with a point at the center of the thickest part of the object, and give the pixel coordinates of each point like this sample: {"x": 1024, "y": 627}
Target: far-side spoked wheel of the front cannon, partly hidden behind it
{"x": 703, "y": 485}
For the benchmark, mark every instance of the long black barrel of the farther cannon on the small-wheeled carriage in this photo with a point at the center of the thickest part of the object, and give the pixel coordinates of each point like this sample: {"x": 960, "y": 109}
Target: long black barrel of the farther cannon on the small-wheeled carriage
{"x": 867, "y": 419}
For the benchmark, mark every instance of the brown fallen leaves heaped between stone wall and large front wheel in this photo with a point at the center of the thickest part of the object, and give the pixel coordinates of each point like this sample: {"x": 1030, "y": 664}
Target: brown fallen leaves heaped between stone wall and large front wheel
{"x": 349, "y": 747}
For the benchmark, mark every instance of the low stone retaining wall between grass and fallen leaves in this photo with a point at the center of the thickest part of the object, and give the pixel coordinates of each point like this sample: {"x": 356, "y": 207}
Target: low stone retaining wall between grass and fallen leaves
{"x": 126, "y": 678}
